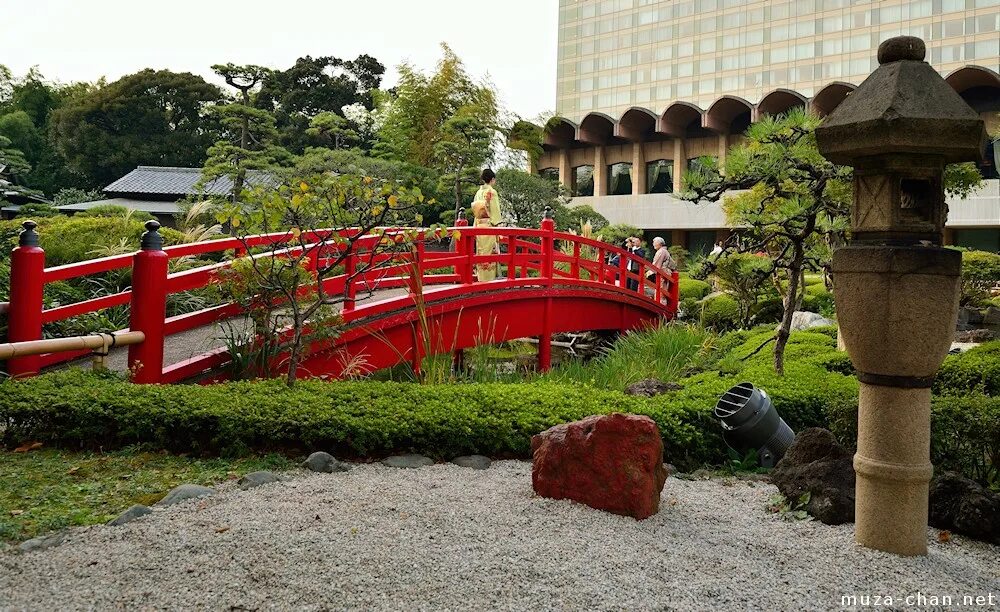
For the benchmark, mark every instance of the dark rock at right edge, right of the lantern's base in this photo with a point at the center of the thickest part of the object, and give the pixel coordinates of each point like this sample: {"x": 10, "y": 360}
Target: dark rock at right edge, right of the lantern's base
{"x": 964, "y": 506}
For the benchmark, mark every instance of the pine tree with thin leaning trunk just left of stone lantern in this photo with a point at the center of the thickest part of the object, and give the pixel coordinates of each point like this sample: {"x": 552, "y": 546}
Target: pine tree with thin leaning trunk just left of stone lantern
{"x": 791, "y": 203}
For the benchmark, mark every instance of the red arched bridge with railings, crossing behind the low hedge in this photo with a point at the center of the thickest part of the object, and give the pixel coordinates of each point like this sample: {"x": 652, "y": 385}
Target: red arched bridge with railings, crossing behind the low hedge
{"x": 548, "y": 282}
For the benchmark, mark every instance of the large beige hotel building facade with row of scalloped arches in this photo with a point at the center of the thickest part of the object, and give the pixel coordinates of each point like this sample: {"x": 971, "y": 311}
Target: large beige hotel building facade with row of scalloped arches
{"x": 646, "y": 87}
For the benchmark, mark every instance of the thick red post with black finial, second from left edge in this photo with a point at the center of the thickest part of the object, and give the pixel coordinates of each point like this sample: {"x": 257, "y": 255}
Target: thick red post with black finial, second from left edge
{"x": 149, "y": 306}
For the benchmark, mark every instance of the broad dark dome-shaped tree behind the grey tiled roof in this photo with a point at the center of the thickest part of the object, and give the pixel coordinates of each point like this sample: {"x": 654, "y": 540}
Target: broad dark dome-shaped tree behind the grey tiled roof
{"x": 153, "y": 117}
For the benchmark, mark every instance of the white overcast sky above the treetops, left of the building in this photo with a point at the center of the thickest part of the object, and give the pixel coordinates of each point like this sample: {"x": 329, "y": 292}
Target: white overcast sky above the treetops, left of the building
{"x": 514, "y": 41}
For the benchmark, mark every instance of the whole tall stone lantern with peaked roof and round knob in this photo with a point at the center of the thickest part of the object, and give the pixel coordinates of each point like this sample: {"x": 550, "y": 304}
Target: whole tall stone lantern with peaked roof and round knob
{"x": 896, "y": 288}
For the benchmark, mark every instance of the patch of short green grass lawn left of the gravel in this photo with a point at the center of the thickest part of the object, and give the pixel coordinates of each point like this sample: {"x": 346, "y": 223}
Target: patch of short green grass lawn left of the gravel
{"x": 46, "y": 490}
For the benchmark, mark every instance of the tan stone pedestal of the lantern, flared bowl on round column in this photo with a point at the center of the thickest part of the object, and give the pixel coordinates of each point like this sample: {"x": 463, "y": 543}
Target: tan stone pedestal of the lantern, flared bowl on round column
{"x": 897, "y": 308}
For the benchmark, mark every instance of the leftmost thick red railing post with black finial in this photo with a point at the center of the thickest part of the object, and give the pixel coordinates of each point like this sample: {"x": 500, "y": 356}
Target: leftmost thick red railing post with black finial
{"x": 27, "y": 284}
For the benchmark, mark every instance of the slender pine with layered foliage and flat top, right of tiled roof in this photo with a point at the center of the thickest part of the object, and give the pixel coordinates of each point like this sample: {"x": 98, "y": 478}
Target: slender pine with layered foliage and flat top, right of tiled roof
{"x": 249, "y": 133}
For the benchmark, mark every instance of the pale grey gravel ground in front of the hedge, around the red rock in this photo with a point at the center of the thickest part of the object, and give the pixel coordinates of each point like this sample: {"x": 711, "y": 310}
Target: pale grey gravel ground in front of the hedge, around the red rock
{"x": 445, "y": 537}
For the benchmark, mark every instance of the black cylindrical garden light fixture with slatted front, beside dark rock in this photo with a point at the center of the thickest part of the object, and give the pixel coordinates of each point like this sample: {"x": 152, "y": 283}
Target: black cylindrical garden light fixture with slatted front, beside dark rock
{"x": 750, "y": 422}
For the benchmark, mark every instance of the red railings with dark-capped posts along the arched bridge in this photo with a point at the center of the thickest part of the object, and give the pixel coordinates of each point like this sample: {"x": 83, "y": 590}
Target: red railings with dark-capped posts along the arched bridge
{"x": 525, "y": 256}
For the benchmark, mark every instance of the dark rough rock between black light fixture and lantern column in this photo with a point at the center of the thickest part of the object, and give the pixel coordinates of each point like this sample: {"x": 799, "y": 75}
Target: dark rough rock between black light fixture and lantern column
{"x": 818, "y": 464}
